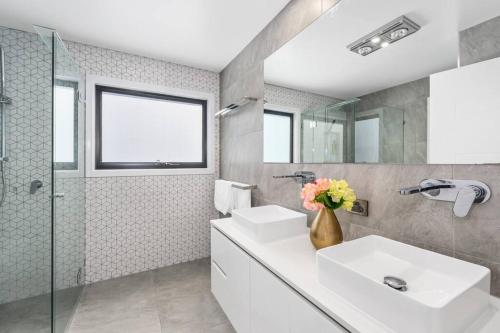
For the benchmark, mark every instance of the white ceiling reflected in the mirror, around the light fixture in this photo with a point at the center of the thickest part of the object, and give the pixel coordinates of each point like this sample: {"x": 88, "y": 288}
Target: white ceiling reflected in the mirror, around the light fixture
{"x": 318, "y": 60}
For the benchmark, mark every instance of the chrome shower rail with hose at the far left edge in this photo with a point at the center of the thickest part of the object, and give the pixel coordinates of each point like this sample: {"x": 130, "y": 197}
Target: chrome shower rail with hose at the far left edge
{"x": 4, "y": 100}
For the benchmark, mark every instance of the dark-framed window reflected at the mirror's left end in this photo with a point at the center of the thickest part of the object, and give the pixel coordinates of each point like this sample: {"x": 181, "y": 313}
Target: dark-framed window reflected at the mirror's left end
{"x": 278, "y": 137}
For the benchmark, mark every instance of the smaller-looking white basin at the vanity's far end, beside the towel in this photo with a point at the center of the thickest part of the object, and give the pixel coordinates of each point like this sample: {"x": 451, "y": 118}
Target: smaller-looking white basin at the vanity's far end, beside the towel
{"x": 270, "y": 223}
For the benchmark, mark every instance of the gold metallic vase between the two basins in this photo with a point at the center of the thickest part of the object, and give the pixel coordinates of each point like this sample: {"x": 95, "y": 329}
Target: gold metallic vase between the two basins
{"x": 325, "y": 229}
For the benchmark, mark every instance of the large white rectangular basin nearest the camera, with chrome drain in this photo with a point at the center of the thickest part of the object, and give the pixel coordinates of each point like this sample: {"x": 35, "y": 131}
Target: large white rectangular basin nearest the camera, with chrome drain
{"x": 443, "y": 295}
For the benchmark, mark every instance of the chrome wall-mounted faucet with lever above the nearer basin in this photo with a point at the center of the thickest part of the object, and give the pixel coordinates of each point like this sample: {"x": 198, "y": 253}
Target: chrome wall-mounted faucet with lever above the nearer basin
{"x": 464, "y": 193}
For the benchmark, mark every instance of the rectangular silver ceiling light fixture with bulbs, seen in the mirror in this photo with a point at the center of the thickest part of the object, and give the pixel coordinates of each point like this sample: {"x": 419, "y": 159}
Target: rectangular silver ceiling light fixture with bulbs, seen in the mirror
{"x": 384, "y": 36}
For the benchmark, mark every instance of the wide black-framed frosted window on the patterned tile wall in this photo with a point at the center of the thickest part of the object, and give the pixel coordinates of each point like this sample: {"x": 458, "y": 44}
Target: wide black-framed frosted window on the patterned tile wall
{"x": 145, "y": 130}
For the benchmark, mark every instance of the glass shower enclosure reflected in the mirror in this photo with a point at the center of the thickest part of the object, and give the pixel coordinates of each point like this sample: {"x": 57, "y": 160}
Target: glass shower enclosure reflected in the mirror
{"x": 347, "y": 132}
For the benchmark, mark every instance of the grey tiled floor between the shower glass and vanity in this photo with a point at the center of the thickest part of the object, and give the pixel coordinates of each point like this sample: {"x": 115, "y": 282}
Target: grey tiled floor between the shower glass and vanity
{"x": 171, "y": 299}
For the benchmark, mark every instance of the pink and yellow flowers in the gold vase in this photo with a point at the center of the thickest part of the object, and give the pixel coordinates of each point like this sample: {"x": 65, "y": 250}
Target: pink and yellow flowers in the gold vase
{"x": 328, "y": 193}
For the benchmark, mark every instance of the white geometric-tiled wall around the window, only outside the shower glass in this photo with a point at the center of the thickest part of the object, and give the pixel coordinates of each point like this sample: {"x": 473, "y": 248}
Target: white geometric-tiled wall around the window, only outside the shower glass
{"x": 135, "y": 224}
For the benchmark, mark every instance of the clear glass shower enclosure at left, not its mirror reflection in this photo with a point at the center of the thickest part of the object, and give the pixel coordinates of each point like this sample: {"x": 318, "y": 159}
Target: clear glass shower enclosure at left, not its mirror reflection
{"x": 42, "y": 218}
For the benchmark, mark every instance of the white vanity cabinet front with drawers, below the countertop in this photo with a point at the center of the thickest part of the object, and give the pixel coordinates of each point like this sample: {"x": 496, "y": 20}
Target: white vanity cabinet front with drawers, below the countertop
{"x": 257, "y": 301}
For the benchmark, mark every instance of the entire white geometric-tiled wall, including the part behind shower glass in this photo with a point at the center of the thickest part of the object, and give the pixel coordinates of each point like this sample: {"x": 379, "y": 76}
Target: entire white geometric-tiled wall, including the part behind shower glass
{"x": 131, "y": 224}
